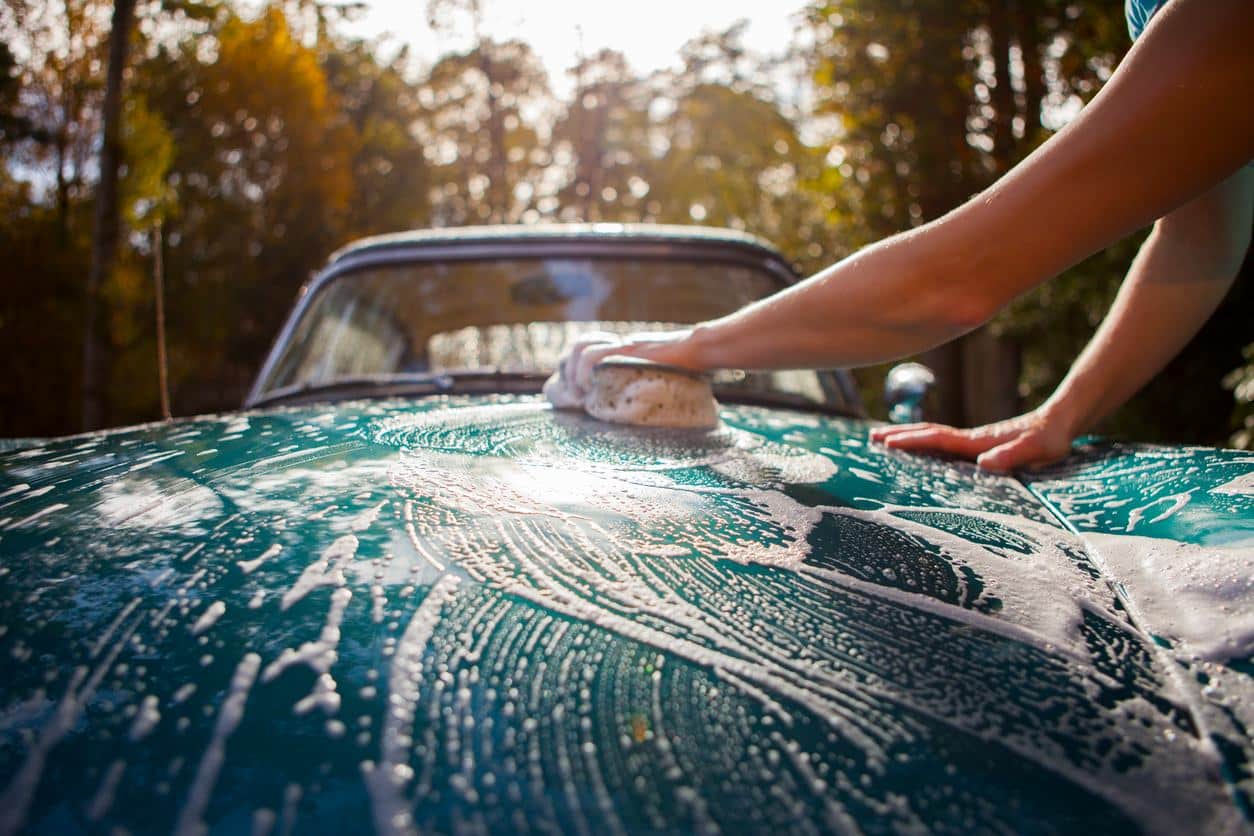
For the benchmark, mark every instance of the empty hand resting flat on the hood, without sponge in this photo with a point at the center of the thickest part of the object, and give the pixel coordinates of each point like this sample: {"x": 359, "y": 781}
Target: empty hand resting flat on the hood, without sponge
{"x": 1030, "y": 441}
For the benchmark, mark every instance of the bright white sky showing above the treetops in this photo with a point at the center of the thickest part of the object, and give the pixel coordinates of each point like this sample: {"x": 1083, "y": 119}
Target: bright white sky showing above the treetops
{"x": 648, "y": 32}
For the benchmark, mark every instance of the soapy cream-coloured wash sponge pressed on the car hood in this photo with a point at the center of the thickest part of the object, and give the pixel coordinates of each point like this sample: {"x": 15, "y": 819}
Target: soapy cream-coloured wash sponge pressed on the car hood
{"x": 626, "y": 390}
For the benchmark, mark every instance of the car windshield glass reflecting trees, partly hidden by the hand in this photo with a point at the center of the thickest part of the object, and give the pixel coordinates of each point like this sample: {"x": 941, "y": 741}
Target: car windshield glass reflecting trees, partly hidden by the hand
{"x": 515, "y": 315}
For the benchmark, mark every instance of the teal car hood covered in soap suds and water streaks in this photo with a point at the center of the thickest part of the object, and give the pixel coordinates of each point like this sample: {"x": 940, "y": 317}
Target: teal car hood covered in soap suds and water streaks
{"x": 482, "y": 615}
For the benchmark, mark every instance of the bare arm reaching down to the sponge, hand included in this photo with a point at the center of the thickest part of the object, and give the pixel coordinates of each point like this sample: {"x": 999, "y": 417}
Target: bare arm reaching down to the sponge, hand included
{"x": 1144, "y": 146}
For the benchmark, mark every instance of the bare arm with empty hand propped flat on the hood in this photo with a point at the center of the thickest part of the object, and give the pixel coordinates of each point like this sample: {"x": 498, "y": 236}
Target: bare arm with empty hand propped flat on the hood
{"x": 1179, "y": 278}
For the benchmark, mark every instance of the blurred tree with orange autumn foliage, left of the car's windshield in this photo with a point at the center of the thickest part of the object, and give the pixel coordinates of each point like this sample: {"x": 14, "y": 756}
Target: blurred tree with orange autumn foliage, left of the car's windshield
{"x": 264, "y": 176}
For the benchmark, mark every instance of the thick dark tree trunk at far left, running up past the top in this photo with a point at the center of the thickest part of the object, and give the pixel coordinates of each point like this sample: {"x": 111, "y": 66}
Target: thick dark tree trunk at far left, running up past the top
{"x": 106, "y": 233}
